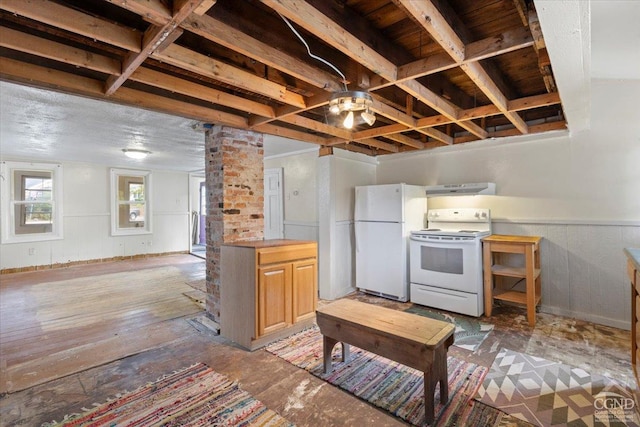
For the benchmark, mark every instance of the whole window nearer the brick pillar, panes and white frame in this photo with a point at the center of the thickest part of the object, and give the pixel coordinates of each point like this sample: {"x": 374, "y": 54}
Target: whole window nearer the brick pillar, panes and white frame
{"x": 130, "y": 203}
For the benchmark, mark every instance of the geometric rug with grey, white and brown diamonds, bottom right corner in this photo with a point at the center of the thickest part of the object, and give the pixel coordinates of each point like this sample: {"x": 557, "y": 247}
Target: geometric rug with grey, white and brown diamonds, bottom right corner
{"x": 547, "y": 393}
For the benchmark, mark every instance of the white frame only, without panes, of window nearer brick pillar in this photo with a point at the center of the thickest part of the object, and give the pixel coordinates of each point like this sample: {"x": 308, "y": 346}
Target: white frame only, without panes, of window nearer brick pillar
{"x": 115, "y": 202}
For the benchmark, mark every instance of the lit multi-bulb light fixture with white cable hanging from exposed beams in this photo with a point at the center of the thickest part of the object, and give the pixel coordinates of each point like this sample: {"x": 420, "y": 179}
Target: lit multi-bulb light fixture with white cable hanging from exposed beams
{"x": 348, "y": 100}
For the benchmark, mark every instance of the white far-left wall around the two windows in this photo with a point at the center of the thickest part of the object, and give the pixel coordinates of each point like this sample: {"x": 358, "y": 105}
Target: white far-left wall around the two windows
{"x": 86, "y": 221}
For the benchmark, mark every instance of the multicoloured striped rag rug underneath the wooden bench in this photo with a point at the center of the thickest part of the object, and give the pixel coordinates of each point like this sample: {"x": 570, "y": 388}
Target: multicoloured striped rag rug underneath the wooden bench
{"x": 382, "y": 382}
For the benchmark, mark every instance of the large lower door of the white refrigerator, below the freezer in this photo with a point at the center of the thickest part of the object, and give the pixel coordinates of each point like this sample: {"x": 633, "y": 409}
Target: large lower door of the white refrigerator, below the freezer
{"x": 381, "y": 259}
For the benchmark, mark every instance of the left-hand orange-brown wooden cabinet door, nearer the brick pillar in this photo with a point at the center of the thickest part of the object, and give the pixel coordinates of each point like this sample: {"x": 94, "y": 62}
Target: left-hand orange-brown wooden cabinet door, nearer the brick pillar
{"x": 274, "y": 298}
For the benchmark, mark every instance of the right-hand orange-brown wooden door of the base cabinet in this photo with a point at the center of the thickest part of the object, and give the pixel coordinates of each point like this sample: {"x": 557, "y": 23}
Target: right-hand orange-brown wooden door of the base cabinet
{"x": 305, "y": 289}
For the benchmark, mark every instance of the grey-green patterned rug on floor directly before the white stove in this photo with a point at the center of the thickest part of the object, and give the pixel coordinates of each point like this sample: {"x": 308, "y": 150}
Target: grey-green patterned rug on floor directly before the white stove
{"x": 469, "y": 332}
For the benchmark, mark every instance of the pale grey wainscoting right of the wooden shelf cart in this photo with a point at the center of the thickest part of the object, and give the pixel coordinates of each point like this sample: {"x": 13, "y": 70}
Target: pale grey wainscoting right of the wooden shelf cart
{"x": 583, "y": 268}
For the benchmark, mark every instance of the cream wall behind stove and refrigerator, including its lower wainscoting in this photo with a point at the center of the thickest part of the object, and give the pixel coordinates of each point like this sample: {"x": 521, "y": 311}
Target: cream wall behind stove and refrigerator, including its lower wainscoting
{"x": 581, "y": 192}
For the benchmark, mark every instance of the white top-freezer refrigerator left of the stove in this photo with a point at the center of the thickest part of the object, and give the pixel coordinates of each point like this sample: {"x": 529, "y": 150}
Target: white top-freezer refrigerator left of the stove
{"x": 384, "y": 217}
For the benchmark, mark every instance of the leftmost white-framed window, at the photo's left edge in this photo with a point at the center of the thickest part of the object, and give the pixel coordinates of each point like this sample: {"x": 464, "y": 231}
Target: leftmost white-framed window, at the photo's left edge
{"x": 32, "y": 199}
